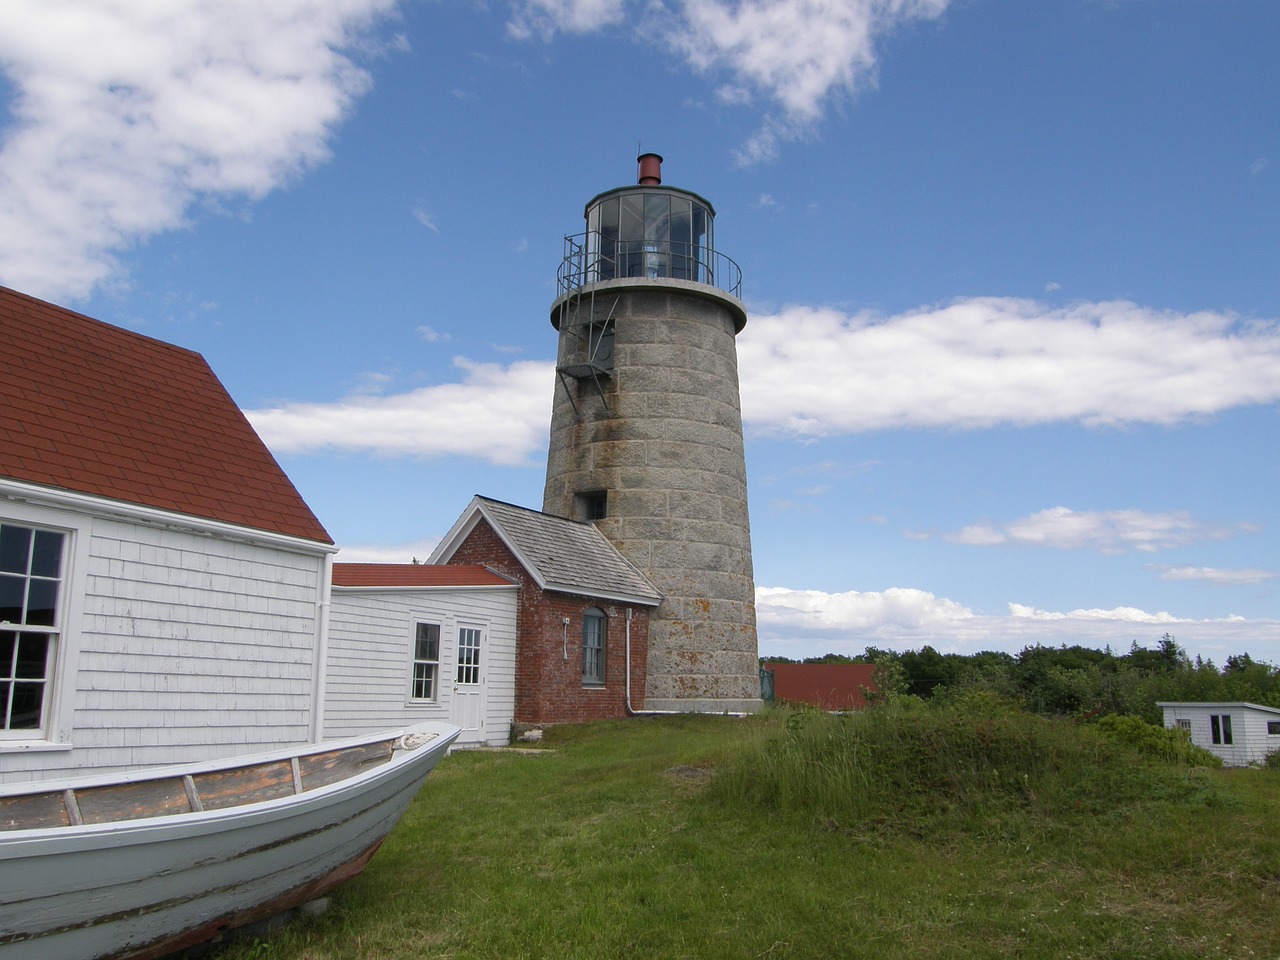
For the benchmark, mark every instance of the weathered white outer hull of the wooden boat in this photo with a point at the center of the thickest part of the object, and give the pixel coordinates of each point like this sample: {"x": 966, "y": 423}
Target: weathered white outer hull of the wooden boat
{"x": 149, "y": 888}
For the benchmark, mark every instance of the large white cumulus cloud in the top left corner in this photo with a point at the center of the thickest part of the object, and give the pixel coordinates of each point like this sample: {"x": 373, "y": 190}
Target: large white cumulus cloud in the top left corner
{"x": 127, "y": 115}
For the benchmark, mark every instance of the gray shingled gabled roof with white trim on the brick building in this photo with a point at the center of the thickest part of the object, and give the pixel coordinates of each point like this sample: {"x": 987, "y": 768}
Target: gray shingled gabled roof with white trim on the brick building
{"x": 561, "y": 555}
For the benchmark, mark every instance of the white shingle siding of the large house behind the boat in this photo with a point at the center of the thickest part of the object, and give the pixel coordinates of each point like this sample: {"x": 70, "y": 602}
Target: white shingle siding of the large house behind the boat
{"x": 186, "y": 647}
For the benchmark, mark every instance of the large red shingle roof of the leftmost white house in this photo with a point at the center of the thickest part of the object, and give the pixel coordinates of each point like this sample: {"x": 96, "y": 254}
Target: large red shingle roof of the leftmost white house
{"x": 94, "y": 409}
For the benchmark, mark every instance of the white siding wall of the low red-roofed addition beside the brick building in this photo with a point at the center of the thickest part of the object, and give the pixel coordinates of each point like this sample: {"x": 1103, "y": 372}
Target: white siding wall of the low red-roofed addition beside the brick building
{"x": 371, "y": 653}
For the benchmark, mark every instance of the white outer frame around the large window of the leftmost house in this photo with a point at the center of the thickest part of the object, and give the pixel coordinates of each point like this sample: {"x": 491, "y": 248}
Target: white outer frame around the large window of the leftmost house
{"x": 57, "y": 730}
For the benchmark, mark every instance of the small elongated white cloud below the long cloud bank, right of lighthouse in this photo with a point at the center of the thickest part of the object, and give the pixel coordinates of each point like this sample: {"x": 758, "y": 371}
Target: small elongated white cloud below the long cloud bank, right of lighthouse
{"x": 1107, "y": 532}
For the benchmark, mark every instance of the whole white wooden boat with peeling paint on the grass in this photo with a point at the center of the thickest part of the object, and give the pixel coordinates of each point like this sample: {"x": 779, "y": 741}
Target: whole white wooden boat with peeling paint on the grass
{"x": 148, "y": 863}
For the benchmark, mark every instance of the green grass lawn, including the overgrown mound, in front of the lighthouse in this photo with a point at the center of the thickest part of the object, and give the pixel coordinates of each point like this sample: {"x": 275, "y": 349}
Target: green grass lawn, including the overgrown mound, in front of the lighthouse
{"x": 728, "y": 838}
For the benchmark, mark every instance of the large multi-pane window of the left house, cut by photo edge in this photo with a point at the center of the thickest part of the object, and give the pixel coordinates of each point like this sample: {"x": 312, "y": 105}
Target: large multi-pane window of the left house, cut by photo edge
{"x": 31, "y": 582}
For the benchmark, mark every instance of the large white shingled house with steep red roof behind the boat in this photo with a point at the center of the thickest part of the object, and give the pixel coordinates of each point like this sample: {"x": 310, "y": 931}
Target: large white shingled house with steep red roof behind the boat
{"x": 163, "y": 586}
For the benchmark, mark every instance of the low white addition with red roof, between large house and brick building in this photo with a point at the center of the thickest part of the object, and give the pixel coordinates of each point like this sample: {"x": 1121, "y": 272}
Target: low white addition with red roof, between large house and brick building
{"x": 413, "y": 642}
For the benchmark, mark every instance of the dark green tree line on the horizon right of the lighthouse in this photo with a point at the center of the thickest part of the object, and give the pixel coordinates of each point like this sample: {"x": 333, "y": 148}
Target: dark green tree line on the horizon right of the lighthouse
{"x": 1076, "y": 682}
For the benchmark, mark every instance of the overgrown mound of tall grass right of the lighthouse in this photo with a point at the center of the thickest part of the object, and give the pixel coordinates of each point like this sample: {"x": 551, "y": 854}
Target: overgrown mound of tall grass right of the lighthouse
{"x": 915, "y": 769}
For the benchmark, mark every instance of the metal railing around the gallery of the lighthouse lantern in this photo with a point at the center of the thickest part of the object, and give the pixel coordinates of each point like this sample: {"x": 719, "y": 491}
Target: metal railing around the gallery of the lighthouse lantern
{"x": 591, "y": 258}
